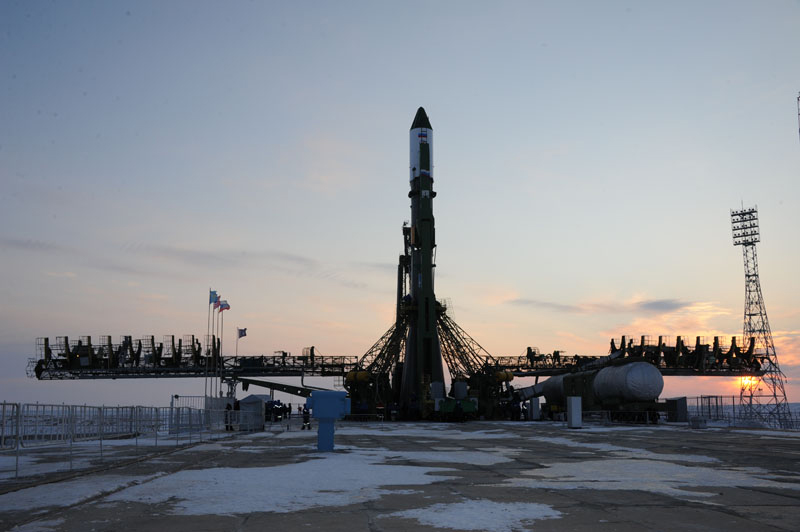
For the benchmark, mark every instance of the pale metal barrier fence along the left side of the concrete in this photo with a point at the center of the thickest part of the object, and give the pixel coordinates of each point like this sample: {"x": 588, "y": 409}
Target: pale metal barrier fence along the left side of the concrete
{"x": 37, "y": 438}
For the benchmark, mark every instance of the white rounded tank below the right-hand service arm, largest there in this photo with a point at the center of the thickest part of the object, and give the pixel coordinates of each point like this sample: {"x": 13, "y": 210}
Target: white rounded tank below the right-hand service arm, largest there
{"x": 637, "y": 381}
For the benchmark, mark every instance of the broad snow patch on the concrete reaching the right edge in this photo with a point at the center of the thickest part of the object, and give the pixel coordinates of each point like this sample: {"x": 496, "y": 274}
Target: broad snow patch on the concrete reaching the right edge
{"x": 648, "y": 475}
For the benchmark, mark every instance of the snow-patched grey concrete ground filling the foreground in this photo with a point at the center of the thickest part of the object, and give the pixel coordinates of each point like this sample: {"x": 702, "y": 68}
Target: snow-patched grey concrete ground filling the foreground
{"x": 497, "y": 476}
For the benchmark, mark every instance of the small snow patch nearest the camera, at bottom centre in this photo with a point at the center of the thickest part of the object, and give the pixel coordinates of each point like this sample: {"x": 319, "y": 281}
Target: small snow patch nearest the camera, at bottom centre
{"x": 480, "y": 514}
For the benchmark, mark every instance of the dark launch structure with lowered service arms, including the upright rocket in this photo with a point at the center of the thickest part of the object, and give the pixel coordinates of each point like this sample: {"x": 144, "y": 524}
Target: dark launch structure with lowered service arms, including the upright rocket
{"x": 405, "y": 368}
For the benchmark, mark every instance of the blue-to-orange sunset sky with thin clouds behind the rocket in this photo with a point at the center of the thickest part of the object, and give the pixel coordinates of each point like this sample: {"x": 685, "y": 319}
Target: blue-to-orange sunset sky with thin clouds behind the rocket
{"x": 587, "y": 158}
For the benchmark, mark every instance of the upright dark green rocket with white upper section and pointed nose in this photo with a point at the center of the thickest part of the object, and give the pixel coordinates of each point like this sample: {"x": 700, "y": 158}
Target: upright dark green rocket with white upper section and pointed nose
{"x": 423, "y": 376}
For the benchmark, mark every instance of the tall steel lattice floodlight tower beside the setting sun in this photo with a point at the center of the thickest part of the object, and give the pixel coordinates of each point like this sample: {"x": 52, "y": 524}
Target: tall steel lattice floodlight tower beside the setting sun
{"x": 762, "y": 399}
